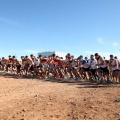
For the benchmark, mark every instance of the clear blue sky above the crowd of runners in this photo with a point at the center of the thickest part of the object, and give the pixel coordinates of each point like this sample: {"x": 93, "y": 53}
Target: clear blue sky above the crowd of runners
{"x": 79, "y": 27}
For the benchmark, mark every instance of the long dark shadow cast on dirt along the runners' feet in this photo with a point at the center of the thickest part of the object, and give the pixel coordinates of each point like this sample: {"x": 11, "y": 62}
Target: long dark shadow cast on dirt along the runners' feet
{"x": 80, "y": 83}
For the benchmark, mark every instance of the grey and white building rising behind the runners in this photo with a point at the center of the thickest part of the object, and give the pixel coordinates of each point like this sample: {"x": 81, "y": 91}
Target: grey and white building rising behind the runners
{"x": 48, "y": 53}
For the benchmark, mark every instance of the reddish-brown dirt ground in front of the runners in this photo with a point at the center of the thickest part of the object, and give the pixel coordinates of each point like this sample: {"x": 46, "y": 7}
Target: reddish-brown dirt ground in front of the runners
{"x": 33, "y": 99}
